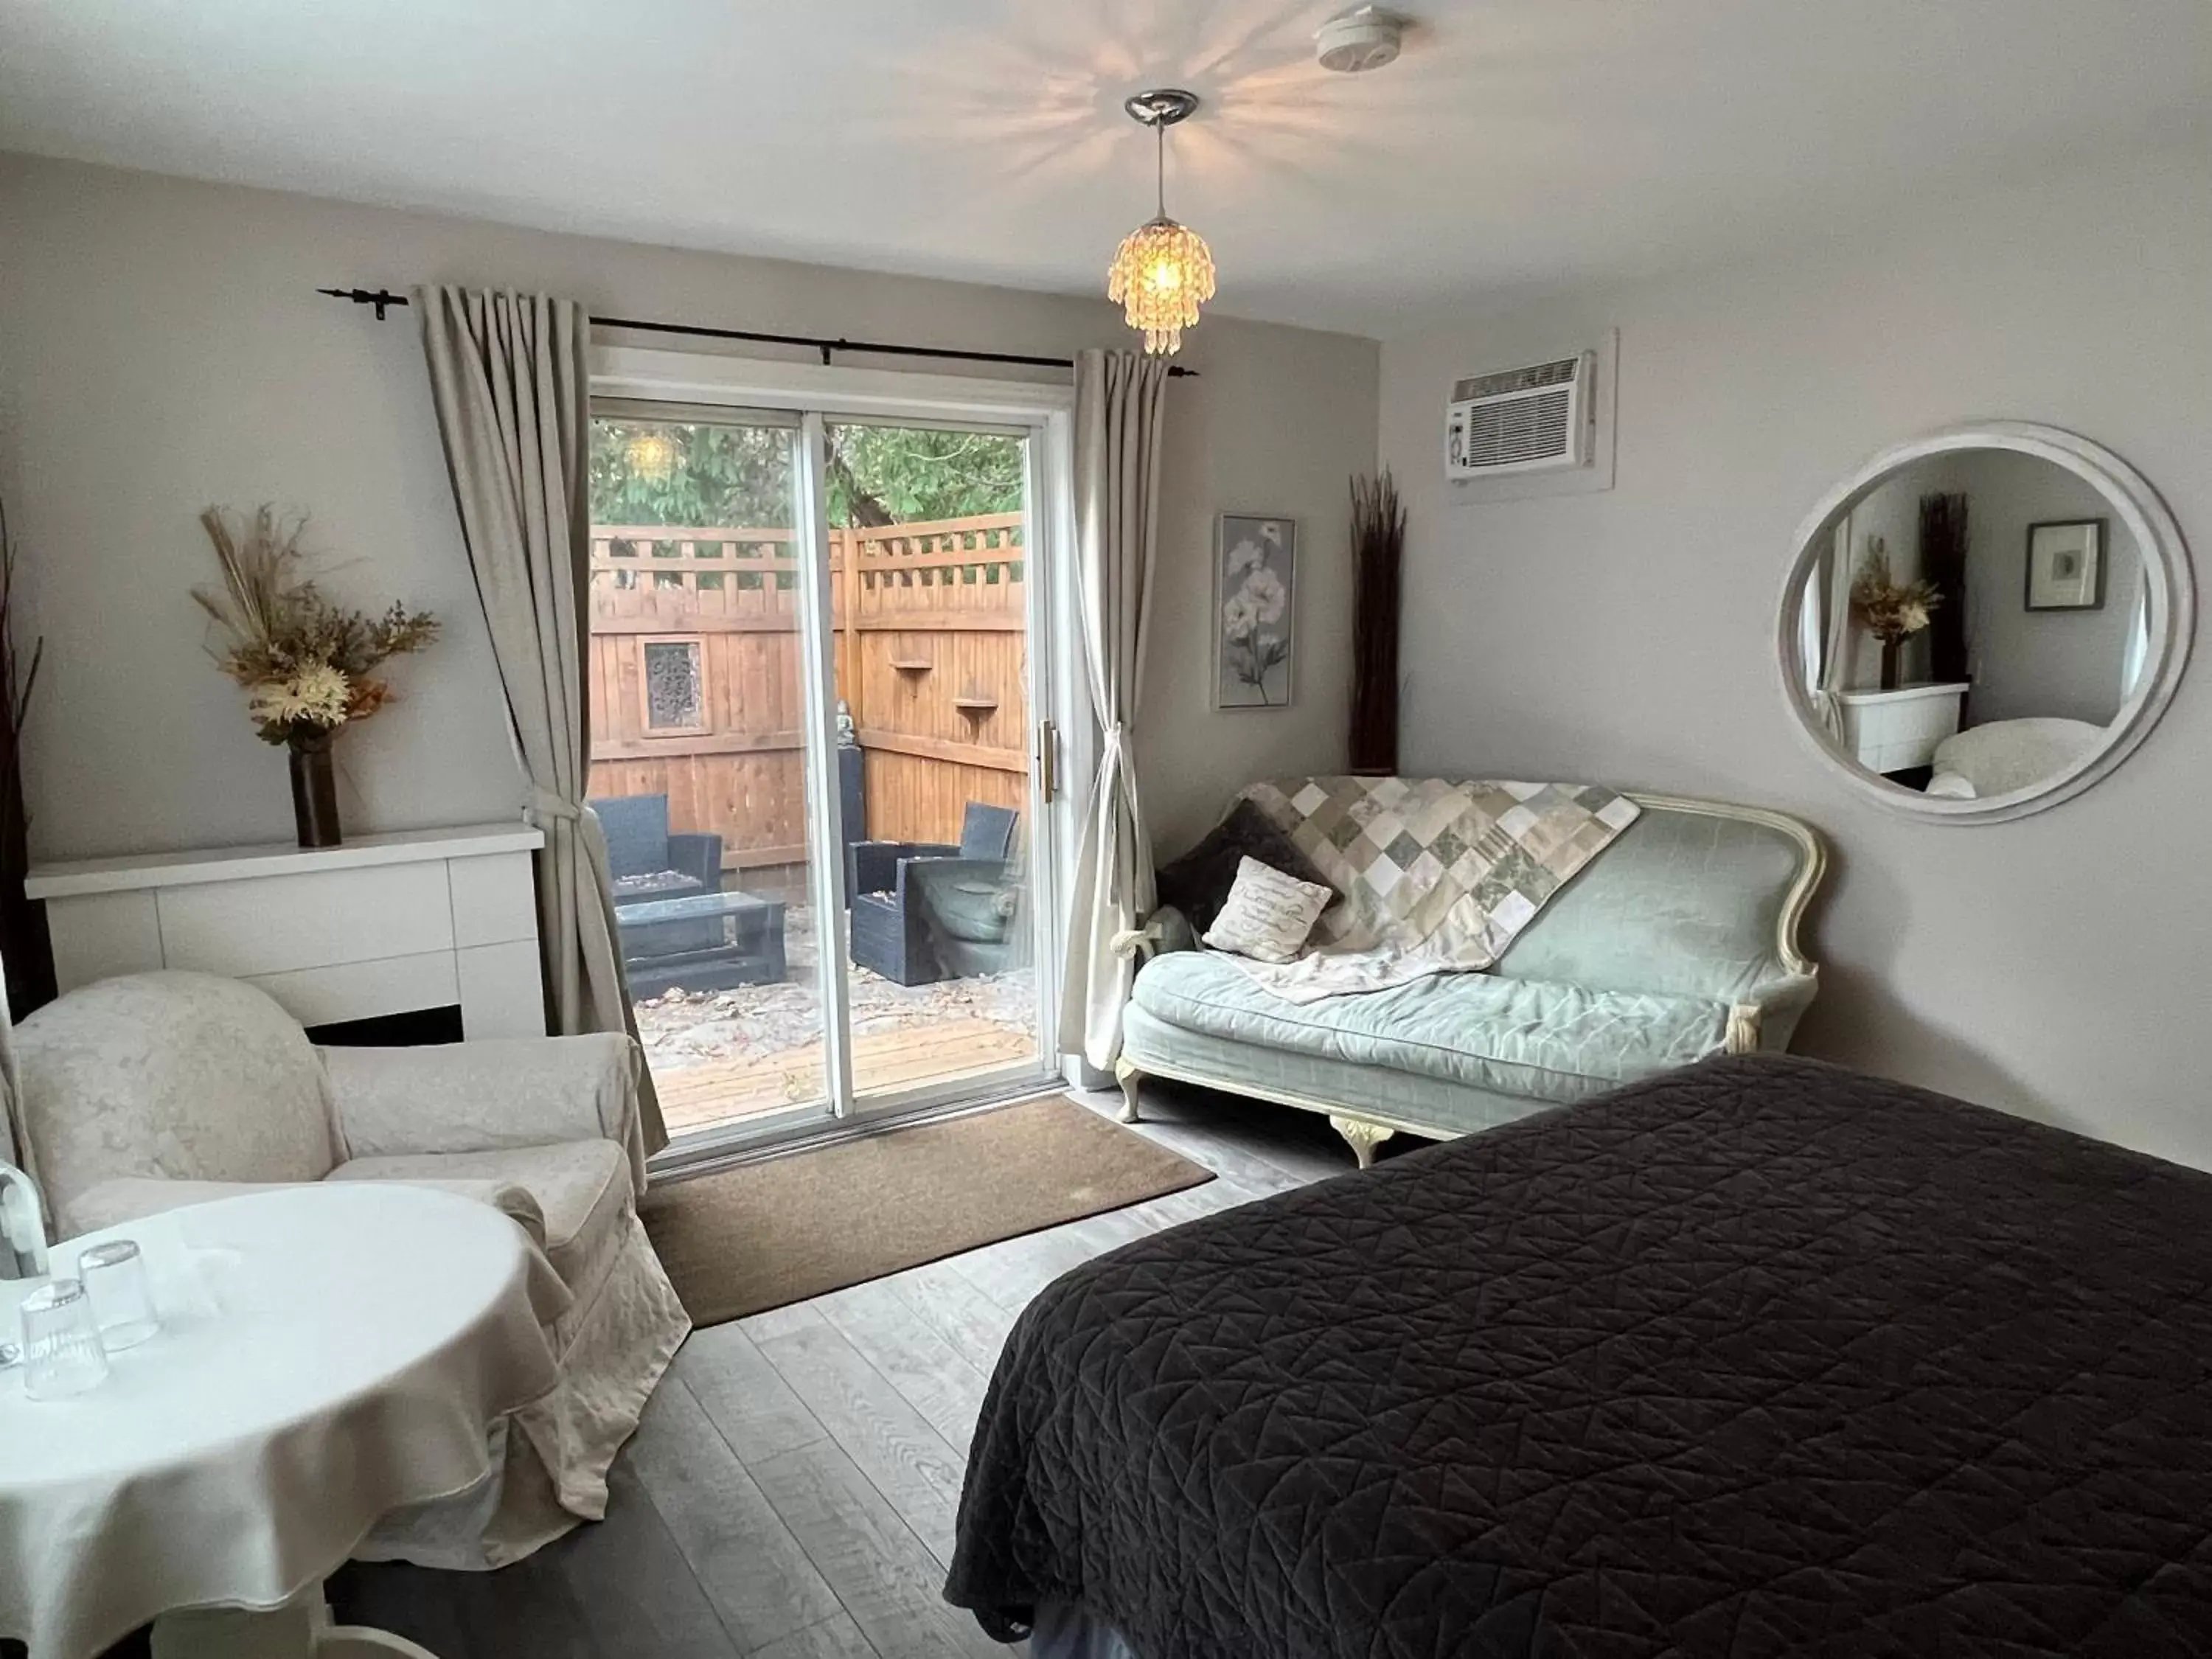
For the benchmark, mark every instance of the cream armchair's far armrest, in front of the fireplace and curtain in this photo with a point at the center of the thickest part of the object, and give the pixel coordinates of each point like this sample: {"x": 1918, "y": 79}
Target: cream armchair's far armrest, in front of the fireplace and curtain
{"x": 488, "y": 1096}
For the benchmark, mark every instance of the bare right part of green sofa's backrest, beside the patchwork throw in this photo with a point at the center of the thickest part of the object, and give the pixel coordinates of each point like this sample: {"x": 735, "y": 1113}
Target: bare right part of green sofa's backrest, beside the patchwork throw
{"x": 1693, "y": 899}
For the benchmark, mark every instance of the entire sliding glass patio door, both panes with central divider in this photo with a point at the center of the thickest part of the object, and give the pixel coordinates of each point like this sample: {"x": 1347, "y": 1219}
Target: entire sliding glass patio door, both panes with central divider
{"x": 815, "y": 689}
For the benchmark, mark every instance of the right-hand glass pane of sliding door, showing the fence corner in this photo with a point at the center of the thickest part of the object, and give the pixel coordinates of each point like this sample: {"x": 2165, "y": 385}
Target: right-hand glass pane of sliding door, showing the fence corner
{"x": 935, "y": 671}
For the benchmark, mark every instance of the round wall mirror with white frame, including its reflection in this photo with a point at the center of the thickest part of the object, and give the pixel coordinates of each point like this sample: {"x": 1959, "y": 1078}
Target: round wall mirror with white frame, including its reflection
{"x": 1985, "y": 623}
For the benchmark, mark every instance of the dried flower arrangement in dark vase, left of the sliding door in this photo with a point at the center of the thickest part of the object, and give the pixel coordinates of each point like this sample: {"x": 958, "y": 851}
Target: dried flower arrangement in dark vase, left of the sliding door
{"x": 306, "y": 665}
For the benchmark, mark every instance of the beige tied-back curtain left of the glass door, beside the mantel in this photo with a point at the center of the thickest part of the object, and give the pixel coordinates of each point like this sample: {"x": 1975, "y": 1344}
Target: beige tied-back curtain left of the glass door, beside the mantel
{"x": 508, "y": 375}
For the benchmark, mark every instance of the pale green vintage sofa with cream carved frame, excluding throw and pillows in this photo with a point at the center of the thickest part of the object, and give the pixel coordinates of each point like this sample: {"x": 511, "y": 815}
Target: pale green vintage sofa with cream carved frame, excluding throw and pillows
{"x": 1678, "y": 943}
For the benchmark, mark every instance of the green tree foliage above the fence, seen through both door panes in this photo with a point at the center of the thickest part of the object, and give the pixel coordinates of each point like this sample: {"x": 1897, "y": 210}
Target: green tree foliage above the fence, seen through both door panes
{"x": 705, "y": 474}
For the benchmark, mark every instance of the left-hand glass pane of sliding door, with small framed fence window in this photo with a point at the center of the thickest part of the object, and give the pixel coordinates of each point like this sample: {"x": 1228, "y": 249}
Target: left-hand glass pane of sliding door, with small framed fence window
{"x": 700, "y": 758}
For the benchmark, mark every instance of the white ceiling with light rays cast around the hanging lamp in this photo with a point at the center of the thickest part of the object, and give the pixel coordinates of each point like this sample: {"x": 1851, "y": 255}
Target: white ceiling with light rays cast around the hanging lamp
{"x": 1516, "y": 143}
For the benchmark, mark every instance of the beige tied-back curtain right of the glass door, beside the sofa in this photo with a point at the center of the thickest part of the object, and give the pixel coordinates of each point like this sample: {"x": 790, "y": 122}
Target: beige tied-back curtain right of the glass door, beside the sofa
{"x": 1118, "y": 424}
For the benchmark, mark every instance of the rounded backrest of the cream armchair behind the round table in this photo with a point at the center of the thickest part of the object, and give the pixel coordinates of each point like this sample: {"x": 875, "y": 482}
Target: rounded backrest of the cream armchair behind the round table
{"x": 180, "y": 1076}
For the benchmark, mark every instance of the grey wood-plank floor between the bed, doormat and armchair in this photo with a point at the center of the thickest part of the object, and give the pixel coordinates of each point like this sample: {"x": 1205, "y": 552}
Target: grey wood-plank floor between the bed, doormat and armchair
{"x": 793, "y": 1488}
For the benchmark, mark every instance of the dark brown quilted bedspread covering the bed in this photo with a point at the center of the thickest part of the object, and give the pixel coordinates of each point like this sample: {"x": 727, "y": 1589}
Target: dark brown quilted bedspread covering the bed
{"x": 1757, "y": 1359}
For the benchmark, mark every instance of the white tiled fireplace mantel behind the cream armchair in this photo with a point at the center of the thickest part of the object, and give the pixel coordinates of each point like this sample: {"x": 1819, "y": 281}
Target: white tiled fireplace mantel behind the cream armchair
{"x": 424, "y": 919}
